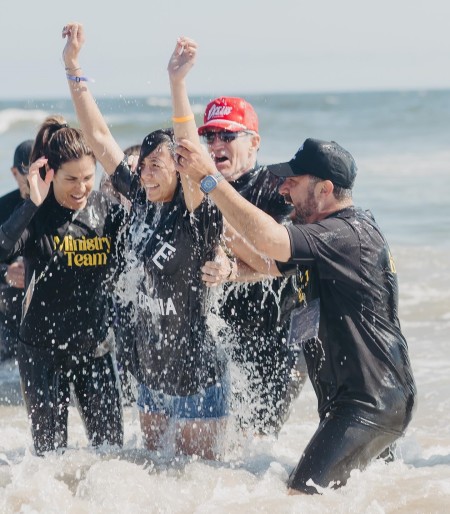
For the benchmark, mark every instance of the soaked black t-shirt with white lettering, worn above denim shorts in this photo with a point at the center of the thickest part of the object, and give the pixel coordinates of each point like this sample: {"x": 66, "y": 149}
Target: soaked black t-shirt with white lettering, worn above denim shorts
{"x": 176, "y": 352}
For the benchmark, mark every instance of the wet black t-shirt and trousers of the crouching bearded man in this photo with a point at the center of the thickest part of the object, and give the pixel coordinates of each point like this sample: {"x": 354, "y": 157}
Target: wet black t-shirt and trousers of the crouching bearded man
{"x": 358, "y": 361}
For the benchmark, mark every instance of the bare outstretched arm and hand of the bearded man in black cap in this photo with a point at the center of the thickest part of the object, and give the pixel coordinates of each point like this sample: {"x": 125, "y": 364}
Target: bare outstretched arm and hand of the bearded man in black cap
{"x": 261, "y": 230}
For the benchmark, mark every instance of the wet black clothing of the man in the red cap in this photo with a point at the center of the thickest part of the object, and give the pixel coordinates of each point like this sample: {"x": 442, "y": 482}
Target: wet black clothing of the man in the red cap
{"x": 258, "y": 315}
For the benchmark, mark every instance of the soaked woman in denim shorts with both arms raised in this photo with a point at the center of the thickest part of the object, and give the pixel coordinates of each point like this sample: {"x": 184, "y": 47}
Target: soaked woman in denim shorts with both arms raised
{"x": 180, "y": 375}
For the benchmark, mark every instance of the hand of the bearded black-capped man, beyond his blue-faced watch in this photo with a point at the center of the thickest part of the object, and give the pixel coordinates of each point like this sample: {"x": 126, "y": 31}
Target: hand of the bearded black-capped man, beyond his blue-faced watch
{"x": 193, "y": 161}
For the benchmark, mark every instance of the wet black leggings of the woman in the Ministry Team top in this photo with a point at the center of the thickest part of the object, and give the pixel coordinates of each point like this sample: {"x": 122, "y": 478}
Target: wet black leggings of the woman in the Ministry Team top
{"x": 46, "y": 377}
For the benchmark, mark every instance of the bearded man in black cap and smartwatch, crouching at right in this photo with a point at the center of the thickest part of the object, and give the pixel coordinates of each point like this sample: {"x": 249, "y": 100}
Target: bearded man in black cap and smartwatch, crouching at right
{"x": 348, "y": 324}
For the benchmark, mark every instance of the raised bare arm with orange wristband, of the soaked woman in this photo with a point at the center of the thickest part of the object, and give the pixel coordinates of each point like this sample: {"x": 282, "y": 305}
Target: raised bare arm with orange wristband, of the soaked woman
{"x": 184, "y": 126}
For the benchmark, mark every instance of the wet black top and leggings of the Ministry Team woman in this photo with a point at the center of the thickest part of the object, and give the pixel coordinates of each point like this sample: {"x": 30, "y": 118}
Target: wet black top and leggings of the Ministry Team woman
{"x": 72, "y": 256}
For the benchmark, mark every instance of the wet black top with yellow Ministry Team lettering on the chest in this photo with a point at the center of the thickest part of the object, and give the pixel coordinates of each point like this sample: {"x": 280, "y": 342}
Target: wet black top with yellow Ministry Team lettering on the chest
{"x": 72, "y": 255}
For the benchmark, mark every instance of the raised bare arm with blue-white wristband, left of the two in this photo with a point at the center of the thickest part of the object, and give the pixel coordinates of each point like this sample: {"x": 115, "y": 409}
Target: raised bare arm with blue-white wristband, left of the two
{"x": 92, "y": 123}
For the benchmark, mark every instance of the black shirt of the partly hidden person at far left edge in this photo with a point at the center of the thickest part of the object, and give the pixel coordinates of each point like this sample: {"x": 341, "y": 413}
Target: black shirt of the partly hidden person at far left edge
{"x": 10, "y": 297}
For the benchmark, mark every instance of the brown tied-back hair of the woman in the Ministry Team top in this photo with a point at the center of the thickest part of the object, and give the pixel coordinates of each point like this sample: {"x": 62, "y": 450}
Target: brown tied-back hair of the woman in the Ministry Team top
{"x": 59, "y": 143}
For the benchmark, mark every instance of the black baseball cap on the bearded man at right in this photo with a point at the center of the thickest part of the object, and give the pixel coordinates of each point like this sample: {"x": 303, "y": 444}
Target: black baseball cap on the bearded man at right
{"x": 324, "y": 159}
